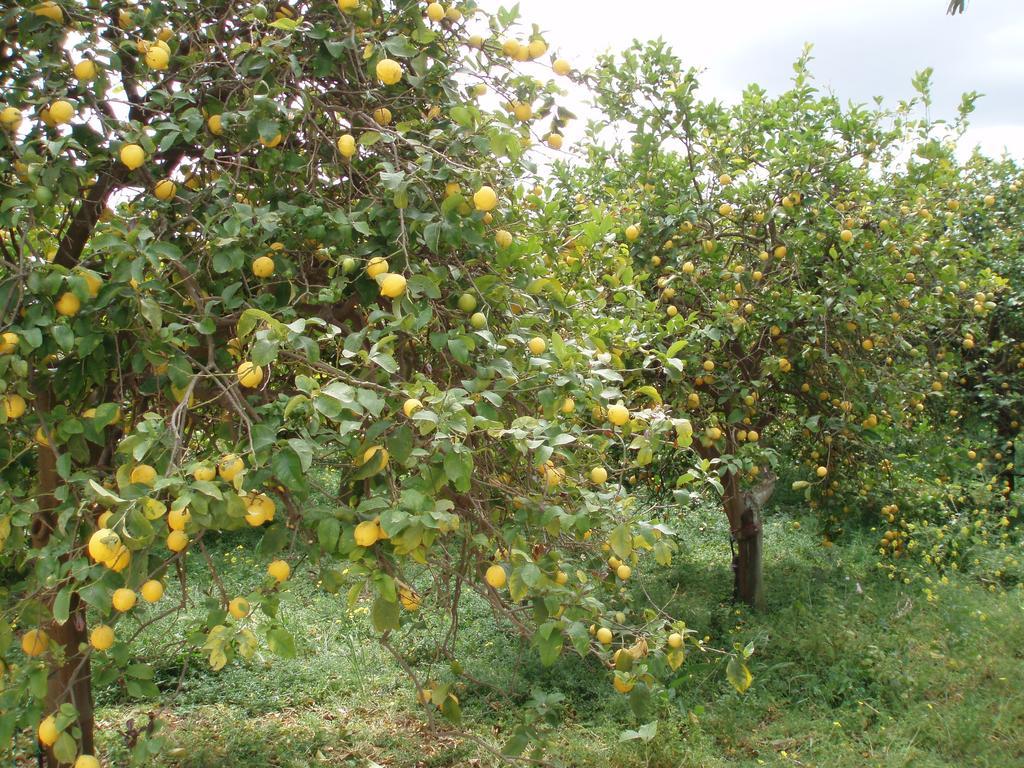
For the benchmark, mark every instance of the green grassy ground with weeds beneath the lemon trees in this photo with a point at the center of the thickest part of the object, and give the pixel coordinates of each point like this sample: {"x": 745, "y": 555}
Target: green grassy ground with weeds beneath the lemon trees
{"x": 851, "y": 670}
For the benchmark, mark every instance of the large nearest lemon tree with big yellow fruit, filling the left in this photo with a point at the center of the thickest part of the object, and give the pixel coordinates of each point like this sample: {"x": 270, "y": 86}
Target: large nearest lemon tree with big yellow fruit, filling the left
{"x": 272, "y": 269}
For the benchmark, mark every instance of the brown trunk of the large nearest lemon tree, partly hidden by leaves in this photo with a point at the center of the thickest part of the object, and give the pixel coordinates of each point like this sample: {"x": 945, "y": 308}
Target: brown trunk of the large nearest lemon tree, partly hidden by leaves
{"x": 72, "y": 680}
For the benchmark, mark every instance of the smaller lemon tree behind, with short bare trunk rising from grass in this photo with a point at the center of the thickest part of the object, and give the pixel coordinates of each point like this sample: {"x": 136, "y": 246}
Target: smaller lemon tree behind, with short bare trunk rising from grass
{"x": 778, "y": 278}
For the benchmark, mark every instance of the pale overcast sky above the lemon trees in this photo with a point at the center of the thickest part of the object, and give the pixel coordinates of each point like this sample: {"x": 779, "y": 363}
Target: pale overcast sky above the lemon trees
{"x": 863, "y": 49}
